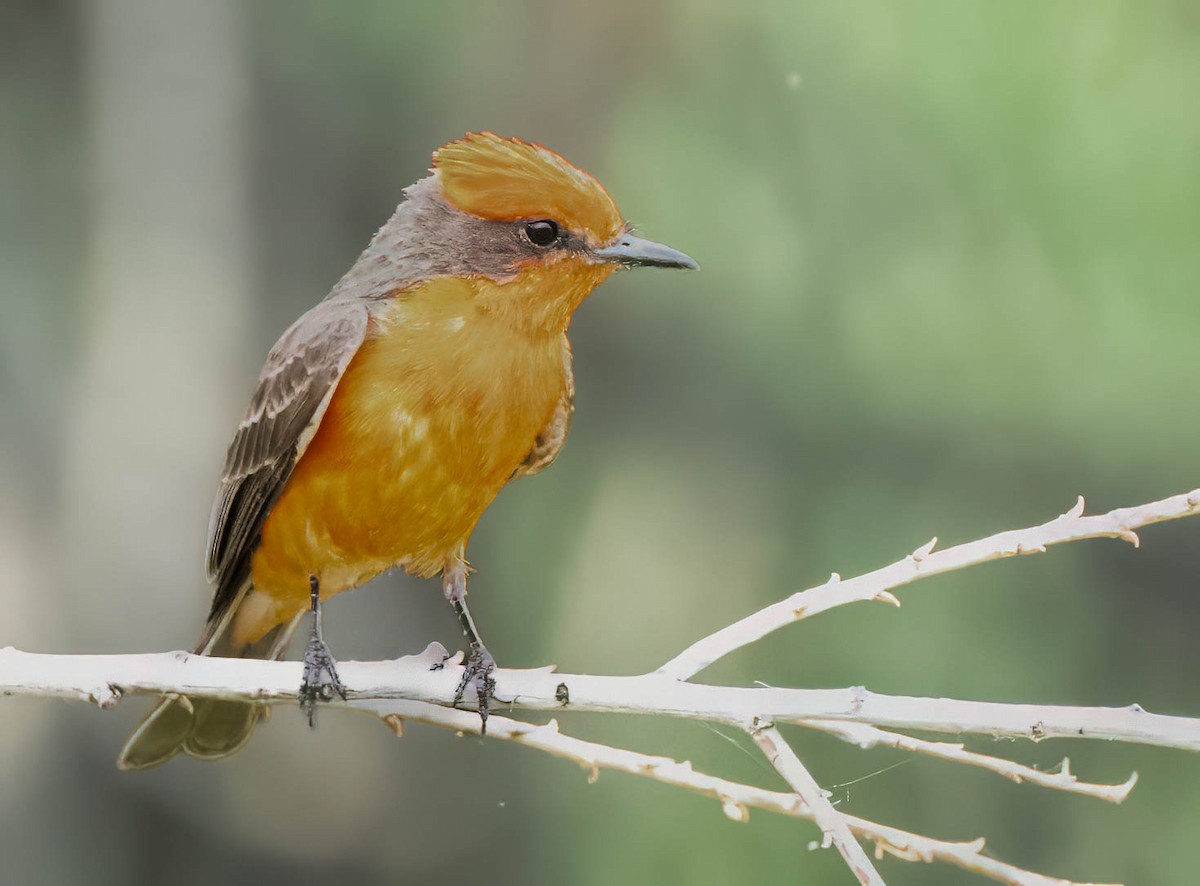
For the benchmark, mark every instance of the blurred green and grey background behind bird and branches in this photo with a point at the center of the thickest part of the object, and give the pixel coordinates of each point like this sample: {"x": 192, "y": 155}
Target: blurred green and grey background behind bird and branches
{"x": 950, "y": 278}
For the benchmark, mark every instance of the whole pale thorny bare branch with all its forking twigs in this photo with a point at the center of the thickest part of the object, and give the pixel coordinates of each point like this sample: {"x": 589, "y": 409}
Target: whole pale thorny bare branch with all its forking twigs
{"x": 423, "y": 687}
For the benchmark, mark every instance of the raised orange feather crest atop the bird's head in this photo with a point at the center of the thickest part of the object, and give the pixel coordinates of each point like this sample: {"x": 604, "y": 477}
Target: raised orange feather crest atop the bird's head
{"x": 506, "y": 179}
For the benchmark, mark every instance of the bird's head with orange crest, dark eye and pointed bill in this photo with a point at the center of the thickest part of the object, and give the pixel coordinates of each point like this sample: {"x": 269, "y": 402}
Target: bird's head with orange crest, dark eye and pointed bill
{"x": 537, "y": 234}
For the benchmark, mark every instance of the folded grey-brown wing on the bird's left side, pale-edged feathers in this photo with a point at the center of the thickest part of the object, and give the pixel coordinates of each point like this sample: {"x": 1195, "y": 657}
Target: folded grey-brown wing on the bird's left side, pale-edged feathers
{"x": 296, "y": 386}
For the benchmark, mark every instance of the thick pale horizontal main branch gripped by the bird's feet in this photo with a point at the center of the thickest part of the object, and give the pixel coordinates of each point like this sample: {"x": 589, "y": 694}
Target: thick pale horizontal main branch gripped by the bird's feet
{"x": 103, "y": 680}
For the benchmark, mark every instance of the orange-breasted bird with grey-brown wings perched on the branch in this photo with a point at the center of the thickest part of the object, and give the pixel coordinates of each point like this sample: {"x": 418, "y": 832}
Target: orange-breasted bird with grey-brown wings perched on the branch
{"x": 388, "y": 417}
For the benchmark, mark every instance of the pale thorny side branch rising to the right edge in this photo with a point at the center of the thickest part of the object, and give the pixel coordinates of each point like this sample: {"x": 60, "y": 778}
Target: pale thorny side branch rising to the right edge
{"x": 922, "y": 564}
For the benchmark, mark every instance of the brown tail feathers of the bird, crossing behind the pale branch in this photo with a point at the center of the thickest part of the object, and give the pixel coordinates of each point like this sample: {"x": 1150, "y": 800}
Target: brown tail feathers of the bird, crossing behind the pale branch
{"x": 208, "y": 729}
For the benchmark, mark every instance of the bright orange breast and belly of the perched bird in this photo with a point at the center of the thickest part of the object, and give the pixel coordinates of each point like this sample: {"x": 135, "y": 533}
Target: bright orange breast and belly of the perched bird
{"x": 437, "y": 410}
